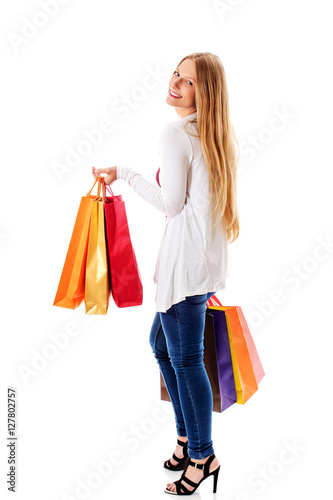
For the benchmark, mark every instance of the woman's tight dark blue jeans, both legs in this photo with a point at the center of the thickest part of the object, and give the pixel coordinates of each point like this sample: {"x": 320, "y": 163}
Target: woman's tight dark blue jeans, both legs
{"x": 176, "y": 338}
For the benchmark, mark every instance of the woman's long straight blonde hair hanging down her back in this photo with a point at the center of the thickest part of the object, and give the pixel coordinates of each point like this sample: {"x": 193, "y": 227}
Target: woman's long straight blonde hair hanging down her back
{"x": 219, "y": 143}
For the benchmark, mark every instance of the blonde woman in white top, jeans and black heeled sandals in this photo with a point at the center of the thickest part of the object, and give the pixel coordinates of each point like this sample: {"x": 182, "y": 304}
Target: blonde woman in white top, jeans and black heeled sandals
{"x": 197, "y": 179}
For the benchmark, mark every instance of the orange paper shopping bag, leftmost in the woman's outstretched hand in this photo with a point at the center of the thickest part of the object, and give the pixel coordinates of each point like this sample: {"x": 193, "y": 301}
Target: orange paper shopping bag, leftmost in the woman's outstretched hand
{"x": 71, "y": 286}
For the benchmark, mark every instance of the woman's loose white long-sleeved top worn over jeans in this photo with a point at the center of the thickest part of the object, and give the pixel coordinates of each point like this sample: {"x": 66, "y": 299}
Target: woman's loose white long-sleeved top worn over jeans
{"x": 193, "y": 256}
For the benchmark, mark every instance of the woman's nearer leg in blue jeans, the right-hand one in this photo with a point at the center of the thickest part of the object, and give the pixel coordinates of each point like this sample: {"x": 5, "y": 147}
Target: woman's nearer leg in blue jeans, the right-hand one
{"x": 183, "y": 326}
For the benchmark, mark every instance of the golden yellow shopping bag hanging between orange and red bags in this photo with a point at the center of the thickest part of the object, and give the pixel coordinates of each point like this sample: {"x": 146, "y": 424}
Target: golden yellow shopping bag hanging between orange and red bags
{"x": 97, "y": 290}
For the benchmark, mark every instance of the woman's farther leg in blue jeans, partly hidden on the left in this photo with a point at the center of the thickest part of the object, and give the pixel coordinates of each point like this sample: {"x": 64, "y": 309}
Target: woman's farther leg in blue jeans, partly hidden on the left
{"x": 159, "y": 347}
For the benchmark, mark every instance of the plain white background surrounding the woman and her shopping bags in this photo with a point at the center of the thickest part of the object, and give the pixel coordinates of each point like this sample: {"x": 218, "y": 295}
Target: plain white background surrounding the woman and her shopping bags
{"x": 97, "y": 400}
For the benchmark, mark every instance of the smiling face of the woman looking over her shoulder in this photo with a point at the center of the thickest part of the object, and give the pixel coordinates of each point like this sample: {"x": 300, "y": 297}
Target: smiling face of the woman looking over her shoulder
{"x": 181, "y": 93}
